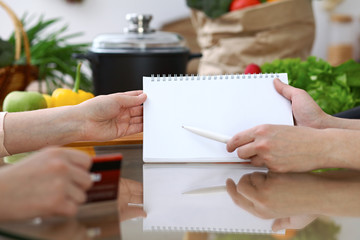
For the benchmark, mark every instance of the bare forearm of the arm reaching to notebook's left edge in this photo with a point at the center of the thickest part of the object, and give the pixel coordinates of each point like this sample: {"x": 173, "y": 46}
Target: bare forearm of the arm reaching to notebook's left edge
{"x": 27, "y": 131}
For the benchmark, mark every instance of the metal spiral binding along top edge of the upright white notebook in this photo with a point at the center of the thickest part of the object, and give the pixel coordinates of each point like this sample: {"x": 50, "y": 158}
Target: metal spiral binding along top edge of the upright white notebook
{"x": 193, "y": 77}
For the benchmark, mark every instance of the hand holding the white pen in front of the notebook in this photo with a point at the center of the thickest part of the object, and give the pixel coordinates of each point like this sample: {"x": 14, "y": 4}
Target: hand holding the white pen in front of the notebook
{"x": 282, "y": 148}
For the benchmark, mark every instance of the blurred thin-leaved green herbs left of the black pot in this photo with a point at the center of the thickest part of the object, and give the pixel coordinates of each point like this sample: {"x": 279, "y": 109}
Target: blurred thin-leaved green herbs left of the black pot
{"x": 52, "y": 53}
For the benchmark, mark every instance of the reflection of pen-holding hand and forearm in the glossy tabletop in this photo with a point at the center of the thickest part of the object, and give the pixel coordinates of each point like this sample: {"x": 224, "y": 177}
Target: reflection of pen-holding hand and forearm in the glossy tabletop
{"x": 296, "y": 199}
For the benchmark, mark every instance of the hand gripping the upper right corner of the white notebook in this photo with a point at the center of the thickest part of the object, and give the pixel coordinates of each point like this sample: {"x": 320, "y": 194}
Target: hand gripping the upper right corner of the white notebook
{"x": 305, "y": 110}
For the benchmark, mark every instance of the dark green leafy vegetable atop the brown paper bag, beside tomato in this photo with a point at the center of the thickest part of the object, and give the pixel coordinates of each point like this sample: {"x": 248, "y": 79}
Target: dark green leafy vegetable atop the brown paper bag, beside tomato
{"x": 212, "y": 8}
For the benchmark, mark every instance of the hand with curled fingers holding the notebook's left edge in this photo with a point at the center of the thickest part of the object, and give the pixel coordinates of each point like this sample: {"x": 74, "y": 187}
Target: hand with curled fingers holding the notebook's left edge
{"x": 111, "y": 116}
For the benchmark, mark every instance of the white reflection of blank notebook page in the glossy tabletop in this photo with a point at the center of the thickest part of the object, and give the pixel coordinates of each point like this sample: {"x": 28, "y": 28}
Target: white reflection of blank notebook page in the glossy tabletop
{"x": 169, "y": 209}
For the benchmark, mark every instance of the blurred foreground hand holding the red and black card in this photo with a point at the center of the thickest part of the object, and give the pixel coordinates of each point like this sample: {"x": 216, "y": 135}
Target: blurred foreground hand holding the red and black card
{"x": 50, "y": 182}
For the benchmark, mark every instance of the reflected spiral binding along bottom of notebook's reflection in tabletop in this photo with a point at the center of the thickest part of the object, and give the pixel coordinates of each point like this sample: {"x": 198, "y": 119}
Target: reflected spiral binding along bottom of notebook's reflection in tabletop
{"x": 208, "y": 229}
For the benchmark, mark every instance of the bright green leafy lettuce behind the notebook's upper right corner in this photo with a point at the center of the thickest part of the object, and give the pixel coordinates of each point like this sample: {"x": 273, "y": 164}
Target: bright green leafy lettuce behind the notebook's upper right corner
{"x": 335, "y": 89}
